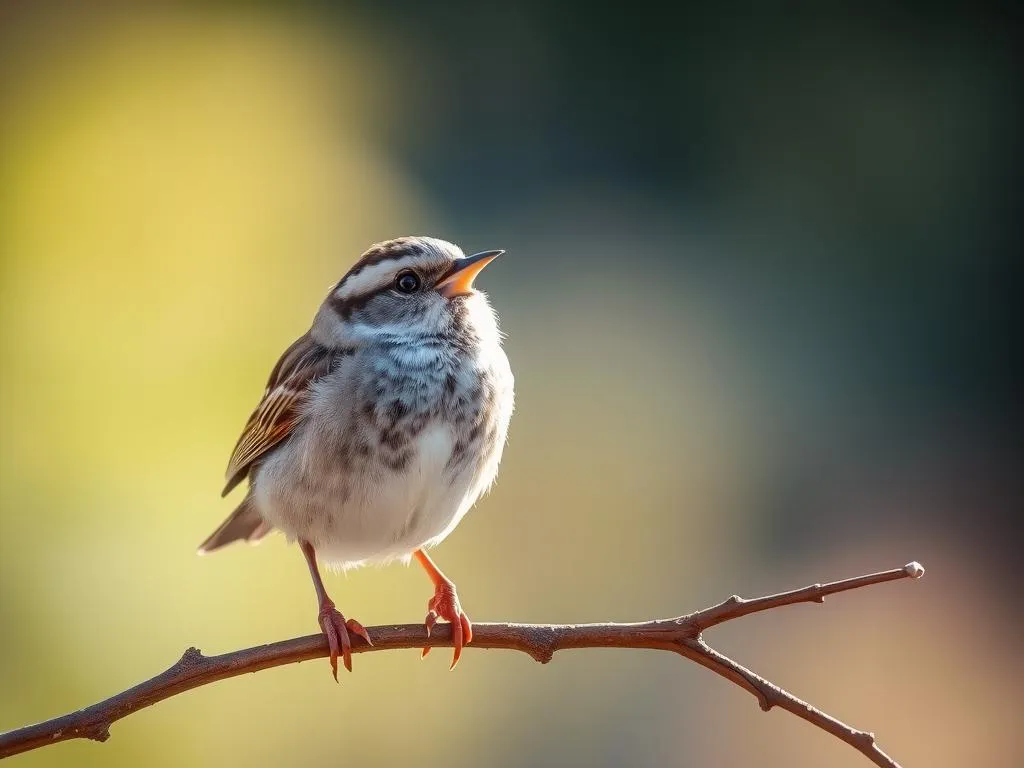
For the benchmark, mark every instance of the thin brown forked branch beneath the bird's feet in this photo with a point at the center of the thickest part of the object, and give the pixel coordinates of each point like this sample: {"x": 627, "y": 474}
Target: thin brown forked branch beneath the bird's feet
{"x": 682, "y": 635}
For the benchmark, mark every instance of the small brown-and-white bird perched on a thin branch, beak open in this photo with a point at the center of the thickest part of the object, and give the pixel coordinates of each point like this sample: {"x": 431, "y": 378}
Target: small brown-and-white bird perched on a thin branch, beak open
{"x": 380, "y": 428}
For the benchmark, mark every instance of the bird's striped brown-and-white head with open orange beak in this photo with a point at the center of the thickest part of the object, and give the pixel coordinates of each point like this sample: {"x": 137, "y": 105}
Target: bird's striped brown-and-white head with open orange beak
{"x": 407, "y": 288}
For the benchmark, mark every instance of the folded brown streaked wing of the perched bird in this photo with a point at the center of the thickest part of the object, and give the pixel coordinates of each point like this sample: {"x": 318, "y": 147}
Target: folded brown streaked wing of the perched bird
{"x": 281, "y": 408}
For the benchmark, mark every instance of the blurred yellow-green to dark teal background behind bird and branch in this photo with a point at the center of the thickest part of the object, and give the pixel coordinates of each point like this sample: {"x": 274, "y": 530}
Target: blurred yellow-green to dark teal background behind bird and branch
{"x": 762, "y": 297}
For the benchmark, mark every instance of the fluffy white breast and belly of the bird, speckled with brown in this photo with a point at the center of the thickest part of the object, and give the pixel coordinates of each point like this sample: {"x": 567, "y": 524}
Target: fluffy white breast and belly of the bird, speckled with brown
{"x": 395, "y": 451}
